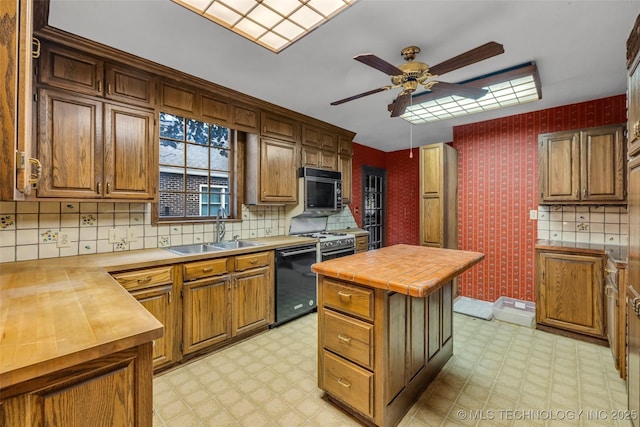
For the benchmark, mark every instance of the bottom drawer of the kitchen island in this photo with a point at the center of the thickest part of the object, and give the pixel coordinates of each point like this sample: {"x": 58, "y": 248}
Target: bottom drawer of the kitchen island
{"x": 349, "y": 383}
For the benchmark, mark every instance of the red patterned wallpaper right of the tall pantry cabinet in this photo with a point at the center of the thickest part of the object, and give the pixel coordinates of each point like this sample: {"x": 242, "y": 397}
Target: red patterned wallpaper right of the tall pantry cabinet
{"x": 497, "y": 186}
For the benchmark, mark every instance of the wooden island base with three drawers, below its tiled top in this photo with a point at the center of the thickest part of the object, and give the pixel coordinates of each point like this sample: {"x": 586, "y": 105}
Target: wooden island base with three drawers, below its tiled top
{"x": 379, "y": 350}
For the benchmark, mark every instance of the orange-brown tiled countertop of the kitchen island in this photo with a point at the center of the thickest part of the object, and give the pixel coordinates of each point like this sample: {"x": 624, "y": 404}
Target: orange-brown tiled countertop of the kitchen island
{"x": 411, "y": 270}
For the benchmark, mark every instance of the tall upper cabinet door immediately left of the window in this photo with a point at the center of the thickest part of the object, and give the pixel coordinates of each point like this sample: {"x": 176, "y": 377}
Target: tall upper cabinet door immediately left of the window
{"x": 130, "y": 154}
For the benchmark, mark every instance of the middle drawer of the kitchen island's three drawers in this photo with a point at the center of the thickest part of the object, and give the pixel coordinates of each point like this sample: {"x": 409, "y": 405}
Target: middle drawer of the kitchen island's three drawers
{"x": 349, "y": 337}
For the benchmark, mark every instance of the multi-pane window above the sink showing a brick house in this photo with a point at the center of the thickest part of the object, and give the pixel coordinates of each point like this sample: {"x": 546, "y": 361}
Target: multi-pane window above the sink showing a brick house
{"x": 195, "y": 169}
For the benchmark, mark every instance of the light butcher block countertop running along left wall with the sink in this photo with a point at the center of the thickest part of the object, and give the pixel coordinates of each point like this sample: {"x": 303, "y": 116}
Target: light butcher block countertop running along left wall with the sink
{"x": 56, "y": 313}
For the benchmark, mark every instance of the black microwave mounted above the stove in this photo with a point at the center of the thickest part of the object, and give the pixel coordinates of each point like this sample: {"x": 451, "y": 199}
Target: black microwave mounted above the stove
{"x": 322, "y": 191}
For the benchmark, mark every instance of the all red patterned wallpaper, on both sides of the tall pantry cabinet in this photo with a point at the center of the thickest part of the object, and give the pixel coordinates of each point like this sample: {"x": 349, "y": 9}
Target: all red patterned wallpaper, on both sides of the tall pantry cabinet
{"x": 497, "y": 186}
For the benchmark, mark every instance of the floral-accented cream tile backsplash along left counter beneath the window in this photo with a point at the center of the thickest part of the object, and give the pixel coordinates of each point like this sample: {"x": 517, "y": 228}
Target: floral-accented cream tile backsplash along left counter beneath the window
{"x": 32, "y": 230}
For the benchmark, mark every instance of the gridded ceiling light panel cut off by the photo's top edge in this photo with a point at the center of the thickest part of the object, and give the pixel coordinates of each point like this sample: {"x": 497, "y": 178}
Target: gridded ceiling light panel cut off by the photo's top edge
{"x": 273, "y": 24}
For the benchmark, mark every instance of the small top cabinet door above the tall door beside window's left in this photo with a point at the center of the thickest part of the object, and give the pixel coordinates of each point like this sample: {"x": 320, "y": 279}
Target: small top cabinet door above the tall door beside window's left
{"x": 129, "y": 85}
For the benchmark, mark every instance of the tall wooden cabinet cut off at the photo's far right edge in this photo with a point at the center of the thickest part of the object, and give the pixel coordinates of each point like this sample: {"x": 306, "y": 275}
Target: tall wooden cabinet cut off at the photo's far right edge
{"x": 633, "y": 287}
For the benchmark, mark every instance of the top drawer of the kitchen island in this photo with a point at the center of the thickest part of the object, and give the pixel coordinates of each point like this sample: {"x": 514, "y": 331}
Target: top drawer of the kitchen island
{"x": 349, "y": 299}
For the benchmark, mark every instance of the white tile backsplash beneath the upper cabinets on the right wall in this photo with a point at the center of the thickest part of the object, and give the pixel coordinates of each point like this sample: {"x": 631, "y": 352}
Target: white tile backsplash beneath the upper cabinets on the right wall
{"x": 592, "y": 224}
